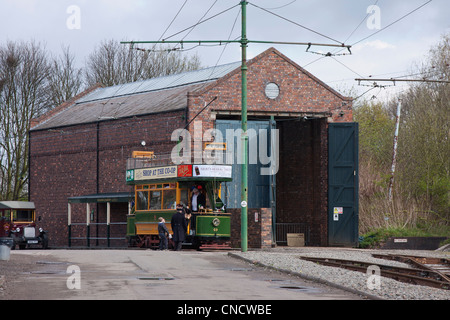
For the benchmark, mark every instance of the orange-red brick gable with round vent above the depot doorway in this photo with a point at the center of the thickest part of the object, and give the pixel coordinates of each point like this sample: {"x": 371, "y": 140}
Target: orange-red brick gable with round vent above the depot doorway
{"x": 300, "y": 92}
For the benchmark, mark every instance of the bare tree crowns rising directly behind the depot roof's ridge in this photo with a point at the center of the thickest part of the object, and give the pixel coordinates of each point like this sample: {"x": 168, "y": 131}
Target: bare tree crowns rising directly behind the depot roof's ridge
{"x": 112, "y": 63}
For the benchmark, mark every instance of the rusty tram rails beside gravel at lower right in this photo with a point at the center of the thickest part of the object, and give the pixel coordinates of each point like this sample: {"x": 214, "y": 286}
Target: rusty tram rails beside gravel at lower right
{"x": 425, "y": 276}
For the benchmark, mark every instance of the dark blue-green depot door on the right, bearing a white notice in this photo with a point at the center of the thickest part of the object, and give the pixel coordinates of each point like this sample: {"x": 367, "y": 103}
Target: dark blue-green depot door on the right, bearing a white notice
{"x": 343, "y": 184}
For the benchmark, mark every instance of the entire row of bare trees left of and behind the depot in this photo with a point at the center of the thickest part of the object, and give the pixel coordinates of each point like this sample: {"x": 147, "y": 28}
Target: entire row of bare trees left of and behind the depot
{"x": 33, "y": 82}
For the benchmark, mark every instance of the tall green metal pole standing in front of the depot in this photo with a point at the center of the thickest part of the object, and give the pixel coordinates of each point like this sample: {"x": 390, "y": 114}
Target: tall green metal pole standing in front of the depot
{"x": 244, "y": 172}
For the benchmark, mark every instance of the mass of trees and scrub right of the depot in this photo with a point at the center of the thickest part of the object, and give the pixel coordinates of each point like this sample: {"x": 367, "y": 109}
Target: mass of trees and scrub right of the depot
{"x": 422, "y": 176}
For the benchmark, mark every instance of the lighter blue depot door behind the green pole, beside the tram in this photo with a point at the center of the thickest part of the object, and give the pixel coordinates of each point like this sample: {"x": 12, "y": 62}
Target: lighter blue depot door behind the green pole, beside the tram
{"x": 259, "y": 185}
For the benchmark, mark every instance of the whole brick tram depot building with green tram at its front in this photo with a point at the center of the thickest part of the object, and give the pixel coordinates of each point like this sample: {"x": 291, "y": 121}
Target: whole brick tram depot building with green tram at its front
{"x": 92, "y": 159}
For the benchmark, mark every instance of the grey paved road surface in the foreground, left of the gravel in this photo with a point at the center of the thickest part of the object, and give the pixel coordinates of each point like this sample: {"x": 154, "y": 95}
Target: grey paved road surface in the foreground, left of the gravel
{"x": 148, "y": 274}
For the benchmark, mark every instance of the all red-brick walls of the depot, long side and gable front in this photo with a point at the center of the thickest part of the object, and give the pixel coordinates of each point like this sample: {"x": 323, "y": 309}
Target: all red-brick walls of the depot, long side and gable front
{"x": 63, "y": 161}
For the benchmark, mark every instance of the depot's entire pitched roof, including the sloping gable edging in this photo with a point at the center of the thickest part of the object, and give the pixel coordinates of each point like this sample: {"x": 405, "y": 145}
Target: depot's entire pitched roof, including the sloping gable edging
{"x": 162, "y": 94}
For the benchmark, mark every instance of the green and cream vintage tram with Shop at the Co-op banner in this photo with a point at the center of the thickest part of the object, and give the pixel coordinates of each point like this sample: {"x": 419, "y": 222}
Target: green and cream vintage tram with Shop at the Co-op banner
{"x": 159, "y": 189}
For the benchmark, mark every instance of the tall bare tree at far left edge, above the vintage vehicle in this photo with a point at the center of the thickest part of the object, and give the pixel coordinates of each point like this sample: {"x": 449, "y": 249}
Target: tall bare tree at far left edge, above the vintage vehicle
{"x": 24, "y": 70}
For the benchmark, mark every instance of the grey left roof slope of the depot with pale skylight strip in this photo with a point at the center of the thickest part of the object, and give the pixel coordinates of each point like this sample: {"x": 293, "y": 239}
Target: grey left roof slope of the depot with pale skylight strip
{"x": 137, "y": 98}
